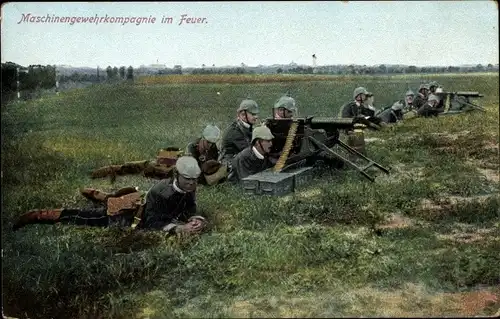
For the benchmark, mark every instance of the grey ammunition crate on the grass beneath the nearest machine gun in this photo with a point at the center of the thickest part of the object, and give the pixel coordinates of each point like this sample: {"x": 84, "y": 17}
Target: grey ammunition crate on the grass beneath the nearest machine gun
{"x": 276, "y": 184}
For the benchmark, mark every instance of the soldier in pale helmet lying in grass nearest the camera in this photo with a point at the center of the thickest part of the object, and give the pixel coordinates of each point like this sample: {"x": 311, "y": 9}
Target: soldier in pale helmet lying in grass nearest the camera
{"x": 169, "y": 205}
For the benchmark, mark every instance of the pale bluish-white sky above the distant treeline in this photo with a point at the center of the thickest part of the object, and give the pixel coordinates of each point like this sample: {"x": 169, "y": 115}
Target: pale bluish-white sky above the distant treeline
{"x": 374, "y": 32}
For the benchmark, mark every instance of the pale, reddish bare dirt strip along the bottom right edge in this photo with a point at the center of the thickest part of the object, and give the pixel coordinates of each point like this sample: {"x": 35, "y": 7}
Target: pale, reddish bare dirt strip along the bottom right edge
{"x": 412, "y": 301}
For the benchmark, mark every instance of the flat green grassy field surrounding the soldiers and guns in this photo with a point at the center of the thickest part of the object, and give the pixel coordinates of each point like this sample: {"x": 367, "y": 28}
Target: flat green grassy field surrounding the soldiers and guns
{"x": 422, "y": 241}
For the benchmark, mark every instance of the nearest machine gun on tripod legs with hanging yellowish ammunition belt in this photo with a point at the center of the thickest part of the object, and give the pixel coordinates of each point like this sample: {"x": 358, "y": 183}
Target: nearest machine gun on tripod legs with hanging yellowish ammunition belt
{"x": 298, "y": 139}
